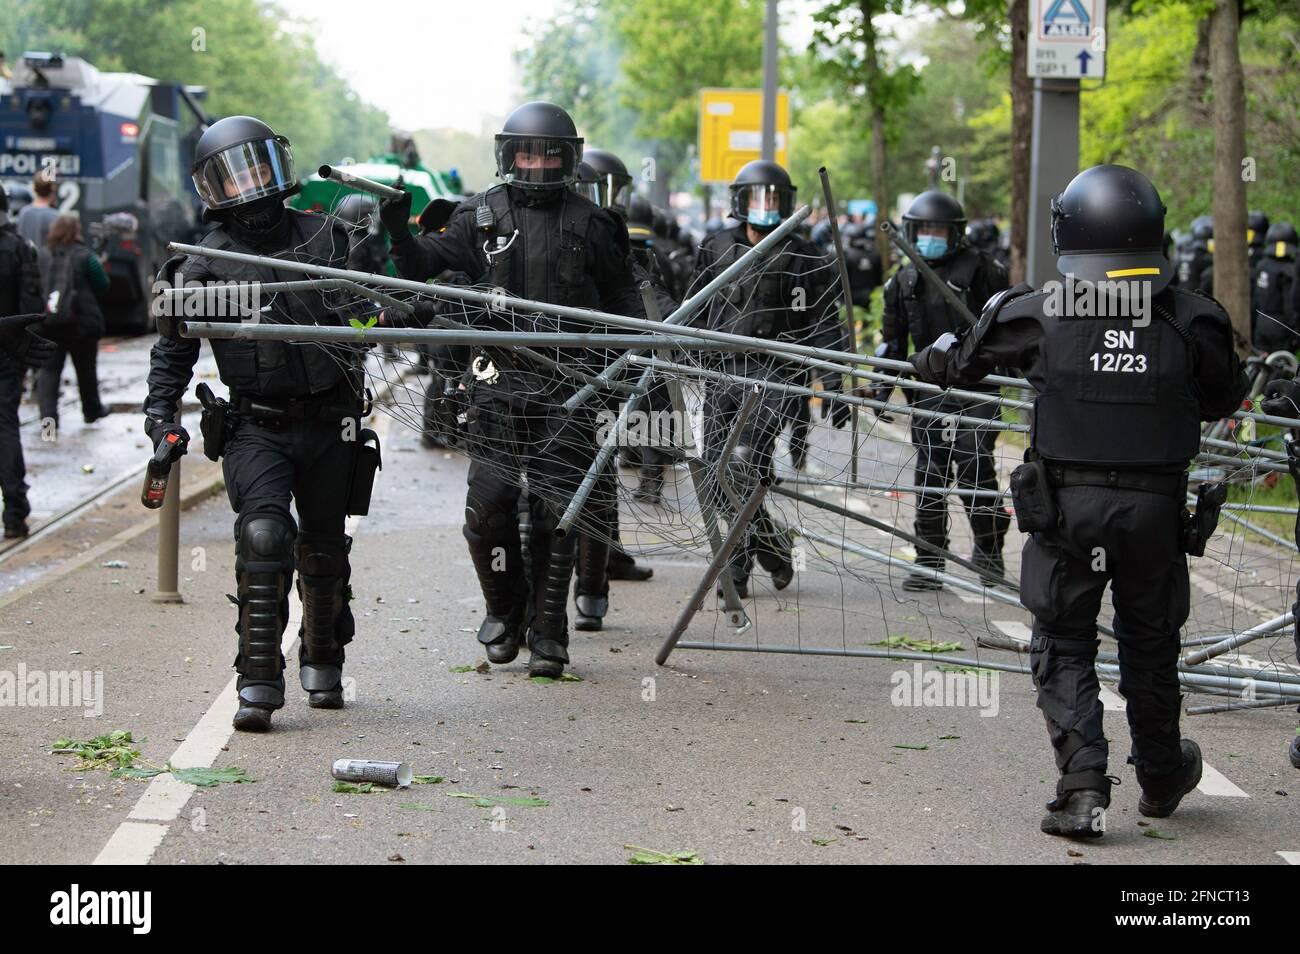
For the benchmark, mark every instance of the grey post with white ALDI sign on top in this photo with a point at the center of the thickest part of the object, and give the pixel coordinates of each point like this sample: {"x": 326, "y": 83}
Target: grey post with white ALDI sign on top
{"x": 1068, "y": 44}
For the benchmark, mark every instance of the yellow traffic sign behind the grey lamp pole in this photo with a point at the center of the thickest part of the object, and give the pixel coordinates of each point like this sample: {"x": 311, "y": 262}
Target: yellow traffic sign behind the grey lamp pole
{"x": 731, "y": 132}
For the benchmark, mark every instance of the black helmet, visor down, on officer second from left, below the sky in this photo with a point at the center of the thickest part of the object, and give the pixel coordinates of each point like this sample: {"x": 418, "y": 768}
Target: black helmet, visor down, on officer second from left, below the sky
{"x": 539, "y": 148}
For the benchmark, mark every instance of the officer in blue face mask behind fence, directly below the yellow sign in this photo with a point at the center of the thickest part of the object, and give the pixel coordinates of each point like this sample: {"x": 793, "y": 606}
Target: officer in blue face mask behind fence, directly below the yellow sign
{"x": 790, "y": 296}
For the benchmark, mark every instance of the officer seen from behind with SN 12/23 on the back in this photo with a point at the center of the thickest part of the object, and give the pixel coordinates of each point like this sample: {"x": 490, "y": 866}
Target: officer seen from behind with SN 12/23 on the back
{"x": 1116, "y": 423}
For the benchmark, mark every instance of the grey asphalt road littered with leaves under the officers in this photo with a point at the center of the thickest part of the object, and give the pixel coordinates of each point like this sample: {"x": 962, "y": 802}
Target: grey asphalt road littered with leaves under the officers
{"x": 736, "y": 757}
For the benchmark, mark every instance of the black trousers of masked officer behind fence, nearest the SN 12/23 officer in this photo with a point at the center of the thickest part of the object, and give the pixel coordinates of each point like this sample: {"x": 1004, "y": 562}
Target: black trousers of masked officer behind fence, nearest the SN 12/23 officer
{"x": 951, "y": 453}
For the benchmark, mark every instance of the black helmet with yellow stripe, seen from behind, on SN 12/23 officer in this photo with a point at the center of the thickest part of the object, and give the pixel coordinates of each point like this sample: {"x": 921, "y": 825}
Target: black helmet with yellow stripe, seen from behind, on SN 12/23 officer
{"x": 1110, "y": 226}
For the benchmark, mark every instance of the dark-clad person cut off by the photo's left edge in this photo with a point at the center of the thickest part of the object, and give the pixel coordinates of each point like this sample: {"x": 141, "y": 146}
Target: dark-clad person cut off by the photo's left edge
{"x": 21, "y": 306}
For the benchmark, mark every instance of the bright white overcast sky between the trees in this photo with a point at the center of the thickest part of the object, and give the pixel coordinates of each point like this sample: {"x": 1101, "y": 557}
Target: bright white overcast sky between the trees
{"x": 445, "y": 64}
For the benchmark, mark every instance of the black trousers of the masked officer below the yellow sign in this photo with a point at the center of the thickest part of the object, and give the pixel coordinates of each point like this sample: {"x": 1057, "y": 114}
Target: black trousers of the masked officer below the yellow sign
{"x": 751, "y": 462}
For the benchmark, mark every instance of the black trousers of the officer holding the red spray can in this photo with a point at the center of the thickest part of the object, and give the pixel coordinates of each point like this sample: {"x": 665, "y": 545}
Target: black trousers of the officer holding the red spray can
{"x": 310, "y": 465}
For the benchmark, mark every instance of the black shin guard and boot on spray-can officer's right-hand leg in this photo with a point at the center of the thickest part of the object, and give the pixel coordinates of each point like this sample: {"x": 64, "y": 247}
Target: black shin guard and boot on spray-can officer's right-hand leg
{"x": 328, "y": 626}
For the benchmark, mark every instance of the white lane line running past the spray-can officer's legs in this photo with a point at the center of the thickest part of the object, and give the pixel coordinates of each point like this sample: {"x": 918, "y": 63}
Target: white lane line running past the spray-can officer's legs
{"x": 136, "y": 840}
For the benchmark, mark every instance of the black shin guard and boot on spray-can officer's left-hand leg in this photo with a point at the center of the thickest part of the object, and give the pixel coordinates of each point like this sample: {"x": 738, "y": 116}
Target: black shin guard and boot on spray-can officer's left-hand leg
{"x": 265, "y": 573}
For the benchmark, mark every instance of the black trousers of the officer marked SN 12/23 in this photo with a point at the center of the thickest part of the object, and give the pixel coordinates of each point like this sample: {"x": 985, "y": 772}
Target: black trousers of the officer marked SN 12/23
{"x": 1132, "y": 540}
